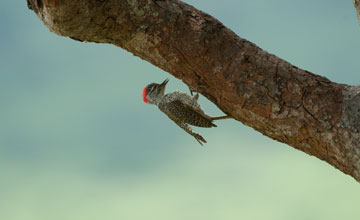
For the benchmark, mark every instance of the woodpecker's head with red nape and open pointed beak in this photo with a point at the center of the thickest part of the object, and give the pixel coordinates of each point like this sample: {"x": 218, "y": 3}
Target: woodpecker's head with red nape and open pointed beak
{"x": 153, "y": 92}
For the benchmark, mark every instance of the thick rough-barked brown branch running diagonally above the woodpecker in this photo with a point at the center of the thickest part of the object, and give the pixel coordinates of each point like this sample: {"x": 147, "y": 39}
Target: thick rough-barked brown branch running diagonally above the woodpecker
{"x": 288, "y": 104}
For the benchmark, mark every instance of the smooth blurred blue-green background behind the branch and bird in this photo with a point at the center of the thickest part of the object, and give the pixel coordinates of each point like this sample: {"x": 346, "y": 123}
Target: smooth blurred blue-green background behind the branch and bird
{"x": 77, "y": 142}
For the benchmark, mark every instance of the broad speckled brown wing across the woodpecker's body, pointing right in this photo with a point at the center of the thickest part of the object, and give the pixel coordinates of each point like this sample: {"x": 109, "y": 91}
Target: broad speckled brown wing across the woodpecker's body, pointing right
{"x": 186, "y": 114}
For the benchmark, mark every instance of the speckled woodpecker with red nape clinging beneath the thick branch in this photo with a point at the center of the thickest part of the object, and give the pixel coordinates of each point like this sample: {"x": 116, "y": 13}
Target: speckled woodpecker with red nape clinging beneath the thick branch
{"x": 180, "y": 107}
